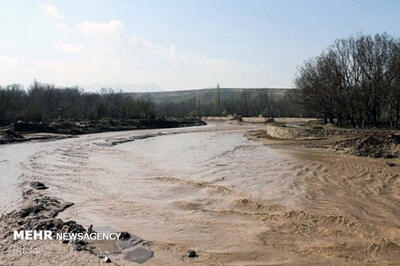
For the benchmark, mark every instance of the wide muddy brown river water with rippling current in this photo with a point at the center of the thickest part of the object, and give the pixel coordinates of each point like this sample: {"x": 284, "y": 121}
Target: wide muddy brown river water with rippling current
{"x": 209, "y": 189}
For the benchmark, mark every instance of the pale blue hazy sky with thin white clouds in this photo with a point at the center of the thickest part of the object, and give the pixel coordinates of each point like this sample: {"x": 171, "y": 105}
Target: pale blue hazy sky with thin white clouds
{"x": 177, "y": 44}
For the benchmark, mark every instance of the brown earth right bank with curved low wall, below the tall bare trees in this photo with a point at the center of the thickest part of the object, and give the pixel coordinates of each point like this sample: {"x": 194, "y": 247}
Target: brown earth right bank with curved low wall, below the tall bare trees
{"x": 377, "y": 143}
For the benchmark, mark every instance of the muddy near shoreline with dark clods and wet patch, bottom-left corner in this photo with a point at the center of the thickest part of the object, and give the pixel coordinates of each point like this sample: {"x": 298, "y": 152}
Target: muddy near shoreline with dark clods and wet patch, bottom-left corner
{"x": 40, "y": 212}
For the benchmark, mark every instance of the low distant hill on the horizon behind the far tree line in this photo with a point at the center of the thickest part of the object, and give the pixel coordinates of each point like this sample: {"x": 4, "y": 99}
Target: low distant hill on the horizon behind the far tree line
{"x": 207, "y": 96}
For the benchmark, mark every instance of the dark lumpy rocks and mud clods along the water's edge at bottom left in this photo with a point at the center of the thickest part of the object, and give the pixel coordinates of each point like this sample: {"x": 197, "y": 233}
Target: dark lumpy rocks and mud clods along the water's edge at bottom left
{"x": 39, "y": 212}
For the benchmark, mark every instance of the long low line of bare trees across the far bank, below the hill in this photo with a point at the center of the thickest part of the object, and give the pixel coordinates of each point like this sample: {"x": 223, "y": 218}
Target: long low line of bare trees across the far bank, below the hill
{"x": 44, "y": 102}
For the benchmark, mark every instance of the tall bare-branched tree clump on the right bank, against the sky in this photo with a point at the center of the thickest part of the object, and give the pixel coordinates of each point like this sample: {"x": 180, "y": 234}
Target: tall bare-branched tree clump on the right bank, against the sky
{"x": 355, "y": 82}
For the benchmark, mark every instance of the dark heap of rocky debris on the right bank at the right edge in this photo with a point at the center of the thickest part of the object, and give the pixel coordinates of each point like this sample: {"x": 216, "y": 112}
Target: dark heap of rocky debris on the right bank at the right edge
{"x": 372, "y": 145}
